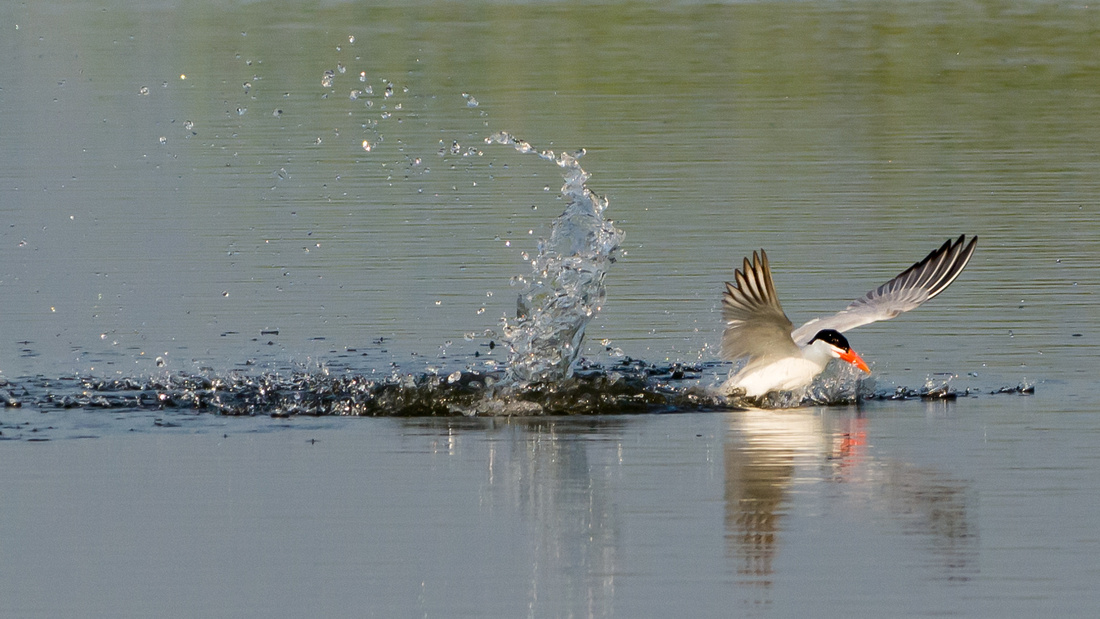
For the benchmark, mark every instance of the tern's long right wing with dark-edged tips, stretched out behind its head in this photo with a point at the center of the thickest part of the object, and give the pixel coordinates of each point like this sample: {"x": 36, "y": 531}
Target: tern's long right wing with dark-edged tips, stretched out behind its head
{"x": 912, "y": 288}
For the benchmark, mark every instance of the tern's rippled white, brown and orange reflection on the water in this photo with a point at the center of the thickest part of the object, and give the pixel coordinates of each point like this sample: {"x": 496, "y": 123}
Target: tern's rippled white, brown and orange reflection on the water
{"x": 771, "y": 454}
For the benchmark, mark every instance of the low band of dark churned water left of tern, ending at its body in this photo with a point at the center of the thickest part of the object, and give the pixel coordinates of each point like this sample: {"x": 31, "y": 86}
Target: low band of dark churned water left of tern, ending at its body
{"x": 630, "y": 388}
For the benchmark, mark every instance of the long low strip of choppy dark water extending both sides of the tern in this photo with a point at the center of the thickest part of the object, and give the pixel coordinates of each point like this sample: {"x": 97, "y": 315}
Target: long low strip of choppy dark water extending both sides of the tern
{"x": 37, "y": 408}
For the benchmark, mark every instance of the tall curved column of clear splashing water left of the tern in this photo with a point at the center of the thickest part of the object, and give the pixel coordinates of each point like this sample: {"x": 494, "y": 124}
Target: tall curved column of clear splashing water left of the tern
{"x": 566, "y": 289}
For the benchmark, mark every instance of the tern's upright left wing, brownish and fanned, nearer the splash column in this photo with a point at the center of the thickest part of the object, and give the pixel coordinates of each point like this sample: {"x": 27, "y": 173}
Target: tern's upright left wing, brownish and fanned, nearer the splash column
{"x": 756, "y": 326}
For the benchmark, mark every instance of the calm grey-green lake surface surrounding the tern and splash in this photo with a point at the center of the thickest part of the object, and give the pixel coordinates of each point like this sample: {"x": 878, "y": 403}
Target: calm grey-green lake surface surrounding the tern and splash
{"x": 259, "y": 190}
